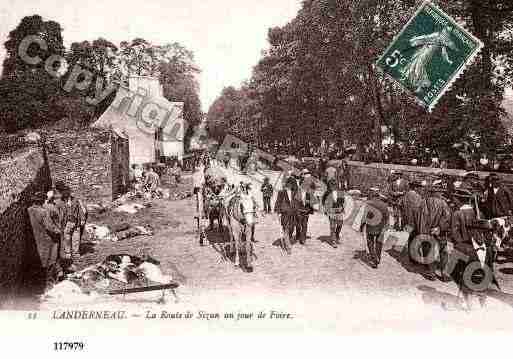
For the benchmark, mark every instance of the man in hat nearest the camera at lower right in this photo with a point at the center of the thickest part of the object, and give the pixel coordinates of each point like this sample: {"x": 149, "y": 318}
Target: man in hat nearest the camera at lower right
{"x": 473, "y": 271}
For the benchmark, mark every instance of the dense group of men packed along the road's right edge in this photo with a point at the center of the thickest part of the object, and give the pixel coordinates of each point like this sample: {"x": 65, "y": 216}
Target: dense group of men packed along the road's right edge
{"x": 441, "y": 210}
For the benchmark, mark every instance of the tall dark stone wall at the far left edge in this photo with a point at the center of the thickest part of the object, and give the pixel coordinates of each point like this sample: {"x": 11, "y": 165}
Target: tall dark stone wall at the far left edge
{"x": 22, "y": 175}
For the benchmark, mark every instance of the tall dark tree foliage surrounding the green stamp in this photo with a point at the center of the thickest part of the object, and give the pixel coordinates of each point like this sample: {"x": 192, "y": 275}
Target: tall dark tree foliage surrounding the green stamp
{"x": 317, "y": 81}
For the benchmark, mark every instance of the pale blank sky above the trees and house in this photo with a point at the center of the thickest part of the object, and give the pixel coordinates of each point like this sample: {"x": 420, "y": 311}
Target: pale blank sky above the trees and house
{"x": 226, "y": 36}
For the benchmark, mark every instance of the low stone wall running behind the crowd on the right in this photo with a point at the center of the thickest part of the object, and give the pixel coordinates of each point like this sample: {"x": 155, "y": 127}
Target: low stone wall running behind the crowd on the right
{"x": 365, "y": 176}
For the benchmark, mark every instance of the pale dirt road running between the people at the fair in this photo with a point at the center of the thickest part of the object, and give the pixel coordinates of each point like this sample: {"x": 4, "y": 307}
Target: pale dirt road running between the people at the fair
{"x": 323, "y": 287}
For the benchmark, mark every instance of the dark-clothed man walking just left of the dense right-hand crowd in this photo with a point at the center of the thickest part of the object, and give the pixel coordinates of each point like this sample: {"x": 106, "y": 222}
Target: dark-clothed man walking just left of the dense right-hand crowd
{"x": 374, "y": 222}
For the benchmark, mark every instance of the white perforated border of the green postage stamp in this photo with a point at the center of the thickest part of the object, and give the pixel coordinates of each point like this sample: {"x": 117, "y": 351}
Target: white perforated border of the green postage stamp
{"x": 457, "y": 73}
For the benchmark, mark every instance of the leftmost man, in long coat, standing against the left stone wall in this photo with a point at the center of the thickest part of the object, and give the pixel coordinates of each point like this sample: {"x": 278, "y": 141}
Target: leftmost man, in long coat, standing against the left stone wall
{"x": 47, "y": 235}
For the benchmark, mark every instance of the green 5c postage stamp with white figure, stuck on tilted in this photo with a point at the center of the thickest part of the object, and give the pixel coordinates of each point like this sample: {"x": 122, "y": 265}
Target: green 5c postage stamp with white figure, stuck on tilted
{"x": 429, "y": 54}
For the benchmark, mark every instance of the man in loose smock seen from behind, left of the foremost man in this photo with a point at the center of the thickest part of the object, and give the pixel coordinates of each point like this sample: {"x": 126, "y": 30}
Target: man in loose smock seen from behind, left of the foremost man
{"x": 433, "y": 227}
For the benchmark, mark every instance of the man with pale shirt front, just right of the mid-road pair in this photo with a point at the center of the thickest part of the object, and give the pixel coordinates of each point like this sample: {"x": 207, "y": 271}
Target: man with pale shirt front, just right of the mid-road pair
{"x": 333, "y": 204}
